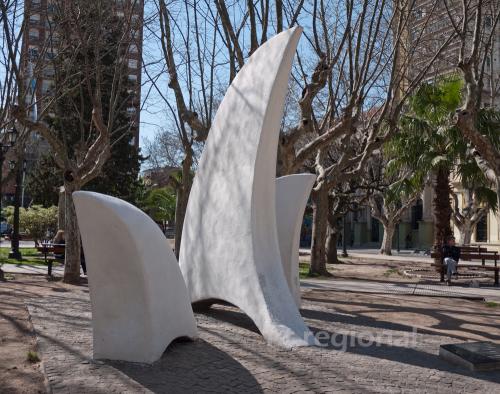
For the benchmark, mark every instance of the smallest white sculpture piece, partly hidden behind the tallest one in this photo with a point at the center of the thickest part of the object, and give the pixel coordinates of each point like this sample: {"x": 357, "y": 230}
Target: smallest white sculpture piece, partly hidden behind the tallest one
{"x": 292, "y": 193}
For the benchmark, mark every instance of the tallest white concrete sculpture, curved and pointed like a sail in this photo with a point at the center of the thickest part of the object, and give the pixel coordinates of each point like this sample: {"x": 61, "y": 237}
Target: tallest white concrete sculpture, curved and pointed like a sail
{"x": 229, "y": 249}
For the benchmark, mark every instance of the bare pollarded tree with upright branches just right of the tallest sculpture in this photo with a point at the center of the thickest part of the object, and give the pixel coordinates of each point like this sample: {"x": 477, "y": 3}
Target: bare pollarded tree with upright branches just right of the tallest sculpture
{"x": 354, "y": 98}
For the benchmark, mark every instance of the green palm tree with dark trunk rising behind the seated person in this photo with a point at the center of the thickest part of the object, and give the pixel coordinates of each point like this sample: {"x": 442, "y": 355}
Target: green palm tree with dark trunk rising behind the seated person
{"x": 429, "y": 144}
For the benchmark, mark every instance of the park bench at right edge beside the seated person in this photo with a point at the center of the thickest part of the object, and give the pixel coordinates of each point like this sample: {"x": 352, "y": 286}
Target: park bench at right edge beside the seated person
{"x": 468, "y": 253}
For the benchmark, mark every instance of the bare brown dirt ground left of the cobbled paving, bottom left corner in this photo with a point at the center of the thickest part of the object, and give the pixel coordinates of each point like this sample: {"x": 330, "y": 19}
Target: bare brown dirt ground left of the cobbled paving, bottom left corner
{"x": 17, "y": 374}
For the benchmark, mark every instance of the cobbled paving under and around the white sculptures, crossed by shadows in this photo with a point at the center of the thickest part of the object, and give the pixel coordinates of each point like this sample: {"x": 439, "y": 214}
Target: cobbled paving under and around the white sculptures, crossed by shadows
{"x": 361, "y": 354}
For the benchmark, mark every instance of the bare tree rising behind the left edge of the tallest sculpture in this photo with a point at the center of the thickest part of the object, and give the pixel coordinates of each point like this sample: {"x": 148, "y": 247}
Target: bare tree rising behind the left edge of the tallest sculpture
{"x": 203, "y": 48}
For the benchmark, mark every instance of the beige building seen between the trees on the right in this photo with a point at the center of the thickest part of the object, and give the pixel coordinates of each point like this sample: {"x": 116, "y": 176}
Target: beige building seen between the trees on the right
{"x": 430, "y": 27}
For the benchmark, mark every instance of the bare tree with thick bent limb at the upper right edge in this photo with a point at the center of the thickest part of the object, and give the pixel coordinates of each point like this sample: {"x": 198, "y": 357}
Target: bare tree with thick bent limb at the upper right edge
{"x": 476, "y": 24}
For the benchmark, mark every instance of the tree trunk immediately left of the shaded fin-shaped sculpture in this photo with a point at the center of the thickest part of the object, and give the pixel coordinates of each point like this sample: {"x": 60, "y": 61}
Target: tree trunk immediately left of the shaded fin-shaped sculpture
{"x": 72, "y": 238}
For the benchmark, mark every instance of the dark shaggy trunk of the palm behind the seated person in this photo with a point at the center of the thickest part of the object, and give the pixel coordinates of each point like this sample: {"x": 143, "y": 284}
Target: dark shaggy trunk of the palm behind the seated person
{"x": 442, "y": 209}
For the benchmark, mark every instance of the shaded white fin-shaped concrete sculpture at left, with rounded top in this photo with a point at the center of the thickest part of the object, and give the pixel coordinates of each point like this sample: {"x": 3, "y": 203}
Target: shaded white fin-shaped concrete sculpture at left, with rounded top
{"x": 140, "y": 302}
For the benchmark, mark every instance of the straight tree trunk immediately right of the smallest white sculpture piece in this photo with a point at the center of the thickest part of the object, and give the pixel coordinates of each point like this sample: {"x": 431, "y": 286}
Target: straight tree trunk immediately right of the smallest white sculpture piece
{"x": 320, "y": 224}
